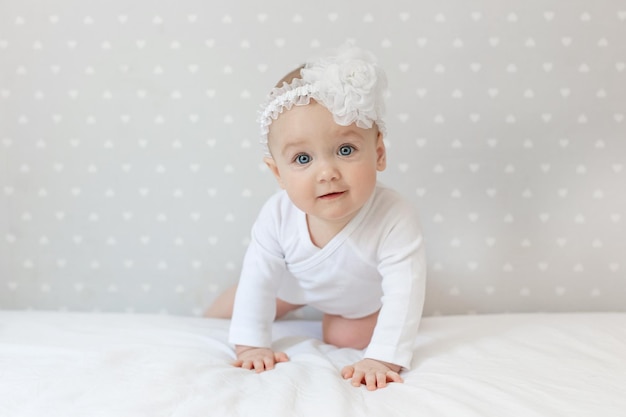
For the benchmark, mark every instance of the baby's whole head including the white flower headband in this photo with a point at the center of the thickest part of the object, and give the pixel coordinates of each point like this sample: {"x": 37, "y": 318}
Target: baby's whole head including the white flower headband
{"x": 322, "y": 129}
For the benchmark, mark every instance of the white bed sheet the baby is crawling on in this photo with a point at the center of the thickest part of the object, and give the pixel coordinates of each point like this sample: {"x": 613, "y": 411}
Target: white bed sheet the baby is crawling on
{"x": 69, "y": 364}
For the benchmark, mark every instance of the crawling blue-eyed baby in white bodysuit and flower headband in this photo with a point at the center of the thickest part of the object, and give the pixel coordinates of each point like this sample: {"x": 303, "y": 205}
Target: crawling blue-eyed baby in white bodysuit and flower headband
{"x": 334, "y": 238}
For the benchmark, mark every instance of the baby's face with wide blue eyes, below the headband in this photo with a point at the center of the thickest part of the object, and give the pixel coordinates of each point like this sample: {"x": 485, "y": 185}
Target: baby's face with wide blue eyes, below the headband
{"x": 328, "y": 170}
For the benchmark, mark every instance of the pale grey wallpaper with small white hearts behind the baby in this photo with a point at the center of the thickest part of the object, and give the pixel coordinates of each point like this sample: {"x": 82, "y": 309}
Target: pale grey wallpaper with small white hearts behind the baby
{"x": 130, "y": 170}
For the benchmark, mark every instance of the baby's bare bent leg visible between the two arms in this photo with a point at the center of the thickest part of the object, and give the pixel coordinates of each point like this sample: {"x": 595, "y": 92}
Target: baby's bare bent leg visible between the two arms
{"x": 343, "y": 332}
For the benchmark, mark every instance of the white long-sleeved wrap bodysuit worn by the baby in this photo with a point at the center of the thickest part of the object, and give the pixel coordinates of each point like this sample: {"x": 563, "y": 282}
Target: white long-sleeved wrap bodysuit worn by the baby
{"x": 376, "y": 262}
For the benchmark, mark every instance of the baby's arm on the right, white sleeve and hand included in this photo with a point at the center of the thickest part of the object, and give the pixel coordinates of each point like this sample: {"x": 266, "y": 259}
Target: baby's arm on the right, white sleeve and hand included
{"x": 403, "y": 269}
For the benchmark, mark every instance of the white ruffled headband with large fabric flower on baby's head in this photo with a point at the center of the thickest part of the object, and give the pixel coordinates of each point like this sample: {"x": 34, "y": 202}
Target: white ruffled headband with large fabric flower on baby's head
{"x": 349, "y": 84}
